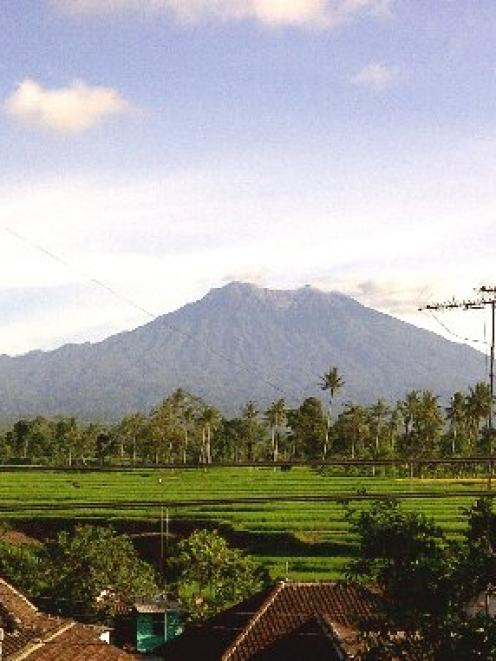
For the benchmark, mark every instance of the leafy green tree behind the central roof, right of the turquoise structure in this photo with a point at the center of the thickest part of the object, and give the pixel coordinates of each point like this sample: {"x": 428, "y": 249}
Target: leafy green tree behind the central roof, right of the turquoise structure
{"x": 212, "y": 576}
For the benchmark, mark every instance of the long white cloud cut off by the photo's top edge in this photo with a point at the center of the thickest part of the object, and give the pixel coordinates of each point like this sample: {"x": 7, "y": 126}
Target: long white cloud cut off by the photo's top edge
{"x": 322, "y": 13}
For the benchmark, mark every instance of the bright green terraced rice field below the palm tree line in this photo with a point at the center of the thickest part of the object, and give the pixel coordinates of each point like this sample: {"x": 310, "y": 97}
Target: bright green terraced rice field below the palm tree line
{"x": 292, "y": 521}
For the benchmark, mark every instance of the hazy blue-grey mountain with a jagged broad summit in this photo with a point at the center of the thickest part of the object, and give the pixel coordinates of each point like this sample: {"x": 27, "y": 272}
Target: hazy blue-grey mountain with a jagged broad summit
{"x": 239, "y": 342}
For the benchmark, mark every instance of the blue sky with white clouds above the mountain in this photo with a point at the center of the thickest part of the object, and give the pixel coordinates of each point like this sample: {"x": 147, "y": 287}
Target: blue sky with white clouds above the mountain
{"x": 154, "y": 149}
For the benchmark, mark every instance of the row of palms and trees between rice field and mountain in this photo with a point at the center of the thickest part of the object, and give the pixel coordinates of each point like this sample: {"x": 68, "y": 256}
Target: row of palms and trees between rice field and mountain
{"x": 183, "y": 429}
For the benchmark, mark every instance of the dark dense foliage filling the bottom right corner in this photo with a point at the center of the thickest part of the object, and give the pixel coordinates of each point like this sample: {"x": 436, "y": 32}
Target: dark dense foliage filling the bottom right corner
{"x": 429, "y": 585}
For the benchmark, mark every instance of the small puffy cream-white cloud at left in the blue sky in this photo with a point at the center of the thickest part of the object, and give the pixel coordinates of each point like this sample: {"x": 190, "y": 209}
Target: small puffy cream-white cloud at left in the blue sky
{"x": 71, "y": 109}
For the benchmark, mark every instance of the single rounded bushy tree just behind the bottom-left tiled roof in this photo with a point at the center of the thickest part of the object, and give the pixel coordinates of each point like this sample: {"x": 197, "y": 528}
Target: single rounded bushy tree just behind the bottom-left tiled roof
{"x": 93, "y": 571}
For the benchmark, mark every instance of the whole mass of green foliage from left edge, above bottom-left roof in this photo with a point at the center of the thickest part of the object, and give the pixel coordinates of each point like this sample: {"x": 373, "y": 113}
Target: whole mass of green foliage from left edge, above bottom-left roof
{"x": 87, "y": 574}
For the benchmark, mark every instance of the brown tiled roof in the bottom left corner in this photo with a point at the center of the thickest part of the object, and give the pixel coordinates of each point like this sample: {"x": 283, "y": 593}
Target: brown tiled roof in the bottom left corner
{"x": 27, "y": 633}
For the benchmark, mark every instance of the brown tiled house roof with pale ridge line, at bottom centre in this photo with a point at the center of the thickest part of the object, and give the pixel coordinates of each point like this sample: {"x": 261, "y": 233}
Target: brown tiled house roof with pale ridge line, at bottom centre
{"x": 289, "y": 621}
